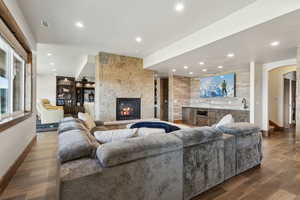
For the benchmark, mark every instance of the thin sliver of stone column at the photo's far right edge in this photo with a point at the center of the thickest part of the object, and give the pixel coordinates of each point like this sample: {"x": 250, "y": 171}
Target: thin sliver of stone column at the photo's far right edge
{"x": 298, "y": 97}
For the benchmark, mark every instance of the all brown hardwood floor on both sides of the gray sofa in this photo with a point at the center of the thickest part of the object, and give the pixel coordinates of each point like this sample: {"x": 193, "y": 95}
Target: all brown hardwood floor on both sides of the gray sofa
{"x": 278, "y": 178}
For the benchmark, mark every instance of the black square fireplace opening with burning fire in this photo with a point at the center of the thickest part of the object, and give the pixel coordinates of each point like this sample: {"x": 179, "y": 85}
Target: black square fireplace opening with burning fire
{"x": 128, "y": 108}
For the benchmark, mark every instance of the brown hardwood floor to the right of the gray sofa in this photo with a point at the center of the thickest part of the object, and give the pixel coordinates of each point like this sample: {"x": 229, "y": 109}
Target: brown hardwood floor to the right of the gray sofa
{"x": 278, "y": 178}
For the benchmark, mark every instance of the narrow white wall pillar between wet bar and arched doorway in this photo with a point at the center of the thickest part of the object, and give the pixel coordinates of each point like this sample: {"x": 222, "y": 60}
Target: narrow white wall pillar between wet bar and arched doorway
{"x": 256, "y": 93}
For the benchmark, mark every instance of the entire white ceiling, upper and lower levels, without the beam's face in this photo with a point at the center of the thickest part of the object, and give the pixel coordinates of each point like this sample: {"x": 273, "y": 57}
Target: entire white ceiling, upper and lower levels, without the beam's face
{"x": 112, "y": 26}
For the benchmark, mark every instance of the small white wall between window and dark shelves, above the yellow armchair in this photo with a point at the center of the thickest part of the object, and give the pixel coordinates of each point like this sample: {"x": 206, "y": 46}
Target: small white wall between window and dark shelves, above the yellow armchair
{"x": 46, "y": 88}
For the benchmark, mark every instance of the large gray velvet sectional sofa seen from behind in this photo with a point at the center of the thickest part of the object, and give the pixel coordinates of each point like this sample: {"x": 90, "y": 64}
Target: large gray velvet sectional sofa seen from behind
{"x": 175, "y": 166}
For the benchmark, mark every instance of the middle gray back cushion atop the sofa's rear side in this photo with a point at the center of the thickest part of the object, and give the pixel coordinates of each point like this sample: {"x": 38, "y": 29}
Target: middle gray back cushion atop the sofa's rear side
{"x": 193, "y": 136}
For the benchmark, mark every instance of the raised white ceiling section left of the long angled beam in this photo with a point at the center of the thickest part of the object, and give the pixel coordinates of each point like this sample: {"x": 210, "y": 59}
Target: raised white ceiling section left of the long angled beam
{"x": 113, "y": 25}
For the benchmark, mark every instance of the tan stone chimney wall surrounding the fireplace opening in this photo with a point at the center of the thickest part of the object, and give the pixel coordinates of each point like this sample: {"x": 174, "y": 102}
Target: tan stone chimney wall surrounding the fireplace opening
{"x": 122, "y": 77}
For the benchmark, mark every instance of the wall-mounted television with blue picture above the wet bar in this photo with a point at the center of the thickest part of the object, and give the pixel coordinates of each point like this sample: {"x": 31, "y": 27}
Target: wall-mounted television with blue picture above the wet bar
{"x": 218, "y": 86}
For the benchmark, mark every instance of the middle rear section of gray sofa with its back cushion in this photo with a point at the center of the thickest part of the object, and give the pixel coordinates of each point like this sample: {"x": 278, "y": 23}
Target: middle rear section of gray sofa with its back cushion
{"x": 203, "y": 159}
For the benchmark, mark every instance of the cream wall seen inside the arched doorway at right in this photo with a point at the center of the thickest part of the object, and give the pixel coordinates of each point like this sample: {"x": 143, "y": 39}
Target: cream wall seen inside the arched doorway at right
{"x": 276, "y": 97}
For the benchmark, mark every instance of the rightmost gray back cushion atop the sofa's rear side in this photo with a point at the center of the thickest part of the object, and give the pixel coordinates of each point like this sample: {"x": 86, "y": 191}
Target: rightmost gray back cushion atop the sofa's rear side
{"x": 241, "y": 128}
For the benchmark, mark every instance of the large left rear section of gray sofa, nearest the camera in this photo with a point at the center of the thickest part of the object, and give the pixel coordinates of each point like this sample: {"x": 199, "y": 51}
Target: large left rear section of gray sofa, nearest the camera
{"x": 141, "y": 168}
